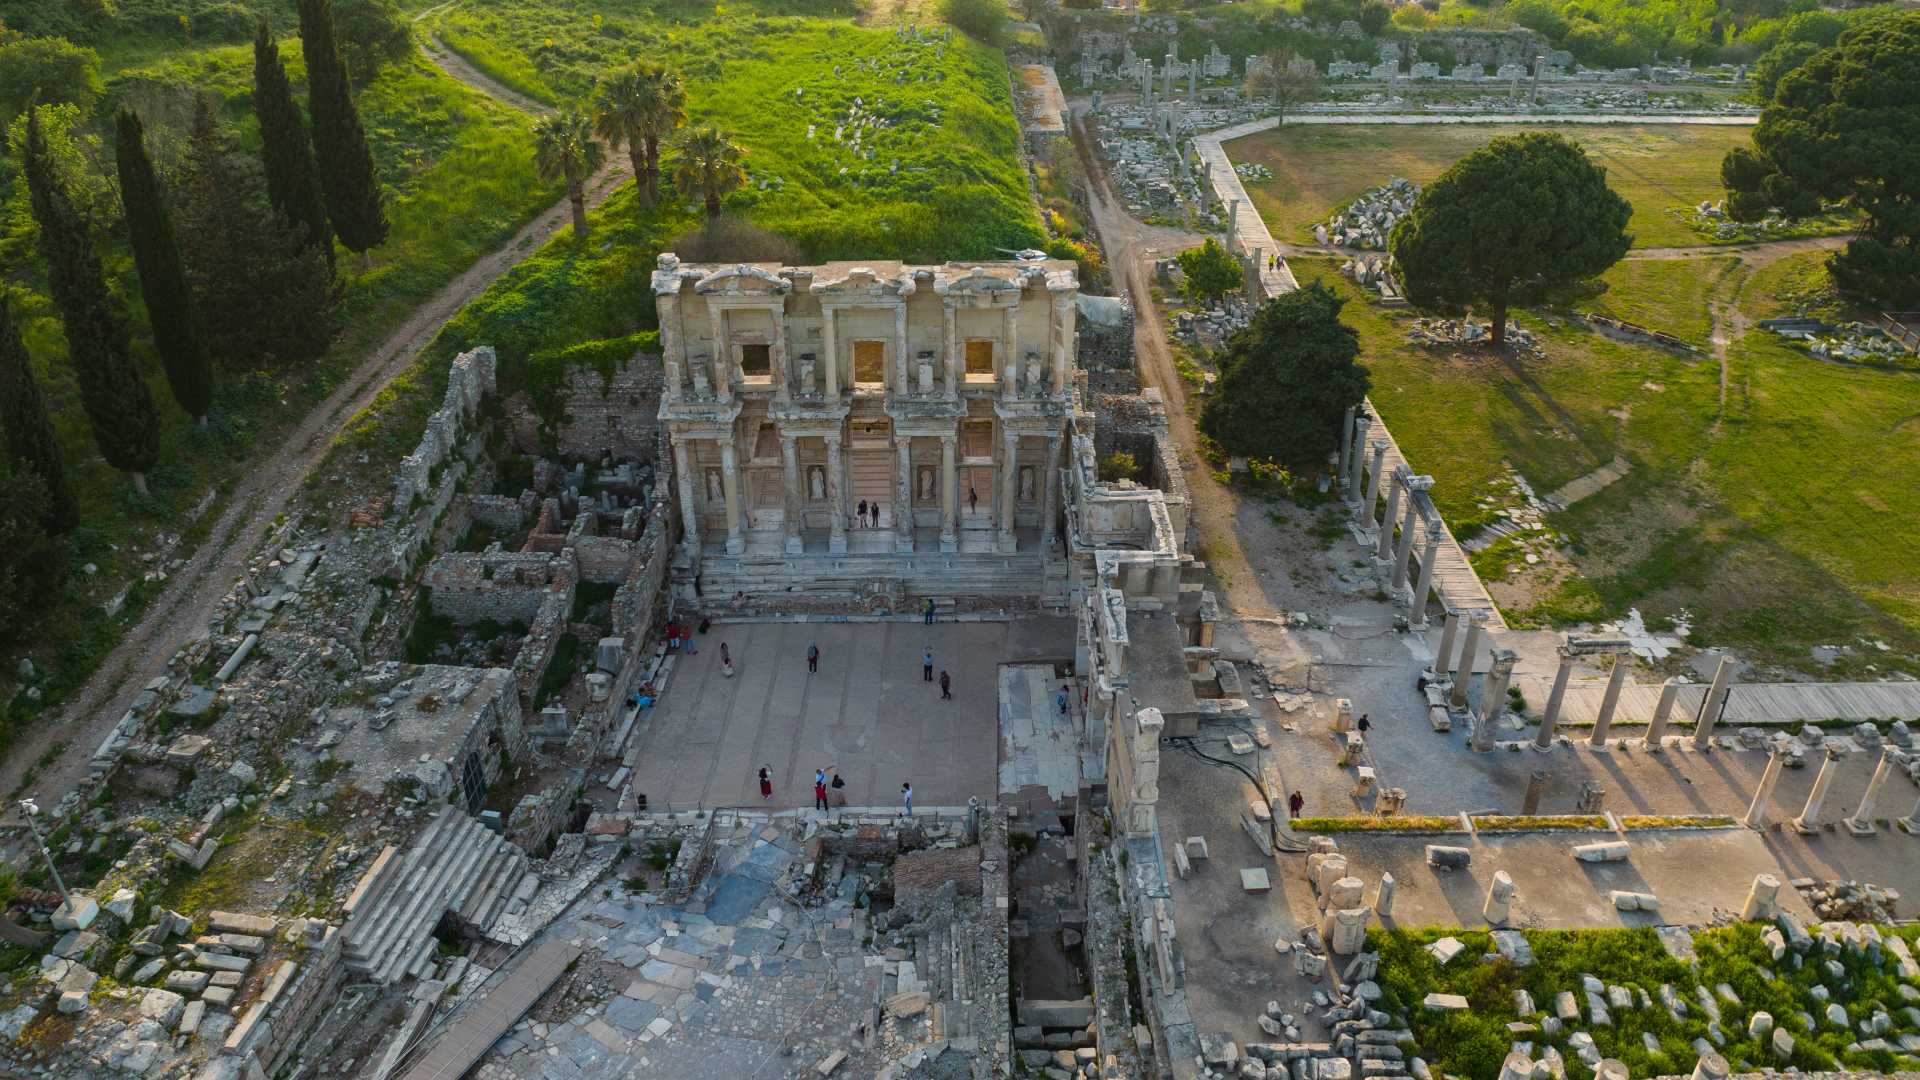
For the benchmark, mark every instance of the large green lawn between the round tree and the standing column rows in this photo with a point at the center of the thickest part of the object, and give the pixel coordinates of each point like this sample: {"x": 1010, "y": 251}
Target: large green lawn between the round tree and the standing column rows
{"x": 1764, "y": 522}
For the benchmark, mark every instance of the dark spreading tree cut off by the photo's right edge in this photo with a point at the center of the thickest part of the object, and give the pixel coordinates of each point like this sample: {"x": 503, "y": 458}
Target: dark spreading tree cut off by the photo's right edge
{"x": 1846, "y": 126}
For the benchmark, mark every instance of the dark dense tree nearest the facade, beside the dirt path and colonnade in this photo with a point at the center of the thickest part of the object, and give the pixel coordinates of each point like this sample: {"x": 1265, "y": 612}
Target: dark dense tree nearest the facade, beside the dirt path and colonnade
{"x": 1287, "y": 381}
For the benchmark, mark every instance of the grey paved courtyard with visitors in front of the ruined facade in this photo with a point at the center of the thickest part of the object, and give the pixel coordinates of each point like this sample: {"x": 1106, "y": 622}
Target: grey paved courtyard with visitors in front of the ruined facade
{"x": 869, "y": 712}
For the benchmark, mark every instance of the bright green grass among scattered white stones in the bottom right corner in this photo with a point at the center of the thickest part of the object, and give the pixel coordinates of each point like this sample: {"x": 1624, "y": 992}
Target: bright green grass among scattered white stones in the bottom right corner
{"x": 1476, "y": 1041}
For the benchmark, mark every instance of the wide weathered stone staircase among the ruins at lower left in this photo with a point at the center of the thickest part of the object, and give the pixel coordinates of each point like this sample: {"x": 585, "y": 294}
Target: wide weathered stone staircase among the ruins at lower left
{"x": 456, "y": 868}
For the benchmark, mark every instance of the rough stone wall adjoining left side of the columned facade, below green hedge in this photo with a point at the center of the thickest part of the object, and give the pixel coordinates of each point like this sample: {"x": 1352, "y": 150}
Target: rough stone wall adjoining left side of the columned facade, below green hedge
{"x": 617, "y": 414}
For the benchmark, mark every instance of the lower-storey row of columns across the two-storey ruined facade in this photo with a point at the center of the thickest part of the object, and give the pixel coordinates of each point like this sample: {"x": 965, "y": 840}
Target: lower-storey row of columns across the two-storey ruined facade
{"x": 1005, "y": 501}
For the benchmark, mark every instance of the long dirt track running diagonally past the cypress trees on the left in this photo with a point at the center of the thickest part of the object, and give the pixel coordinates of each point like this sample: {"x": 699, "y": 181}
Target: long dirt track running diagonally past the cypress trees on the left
{"x": 68, "y": 741}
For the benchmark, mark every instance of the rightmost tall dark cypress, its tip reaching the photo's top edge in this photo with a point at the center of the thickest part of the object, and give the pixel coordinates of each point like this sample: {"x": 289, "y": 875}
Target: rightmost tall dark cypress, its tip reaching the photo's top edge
{"x": 339, "y": 139}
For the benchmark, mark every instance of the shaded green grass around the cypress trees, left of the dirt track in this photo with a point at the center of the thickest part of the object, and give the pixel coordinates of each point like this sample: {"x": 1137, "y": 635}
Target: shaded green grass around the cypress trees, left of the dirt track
{"x": 460, "y": 184}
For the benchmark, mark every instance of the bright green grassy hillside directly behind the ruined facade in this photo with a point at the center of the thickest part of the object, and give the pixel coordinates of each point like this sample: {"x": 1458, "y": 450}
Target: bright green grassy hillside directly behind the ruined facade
{"x": 940, "y": 180}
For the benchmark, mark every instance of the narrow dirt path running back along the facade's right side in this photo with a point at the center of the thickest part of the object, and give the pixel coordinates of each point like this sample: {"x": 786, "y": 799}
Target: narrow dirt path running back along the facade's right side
{"x": 1130, "y": 251}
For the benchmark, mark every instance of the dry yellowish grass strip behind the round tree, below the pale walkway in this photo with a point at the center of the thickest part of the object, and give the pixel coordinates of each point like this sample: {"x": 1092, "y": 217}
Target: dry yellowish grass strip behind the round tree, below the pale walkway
{"x": 1318, "y": 168}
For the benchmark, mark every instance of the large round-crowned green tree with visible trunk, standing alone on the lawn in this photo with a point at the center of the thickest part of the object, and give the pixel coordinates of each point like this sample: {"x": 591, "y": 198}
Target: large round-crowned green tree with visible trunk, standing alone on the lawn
{"x": 1508, "y": 224}
